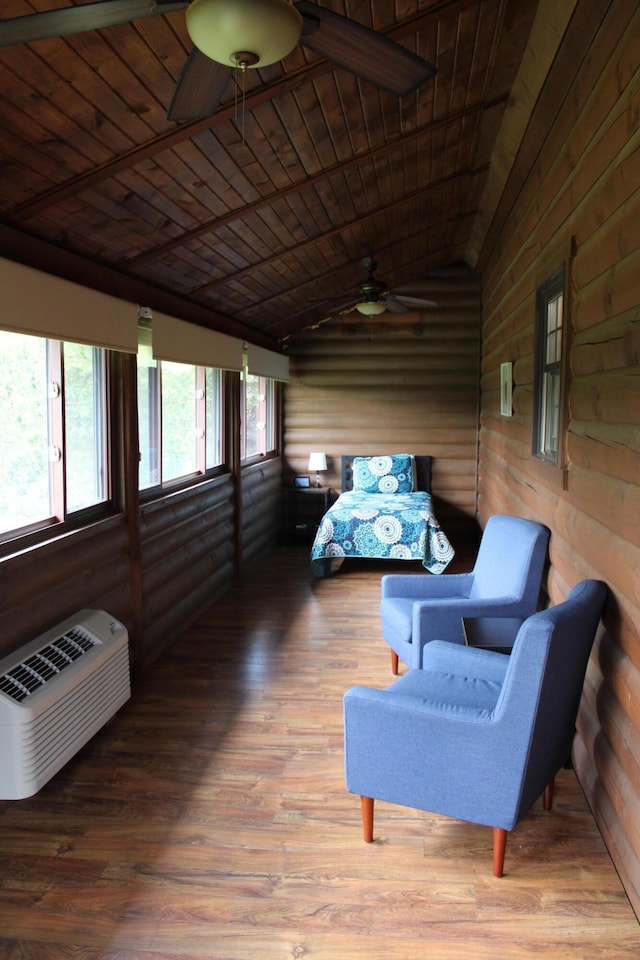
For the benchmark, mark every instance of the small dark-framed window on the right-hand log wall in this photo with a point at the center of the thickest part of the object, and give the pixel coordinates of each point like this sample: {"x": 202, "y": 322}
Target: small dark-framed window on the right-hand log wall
{"x": 548, "y": 419}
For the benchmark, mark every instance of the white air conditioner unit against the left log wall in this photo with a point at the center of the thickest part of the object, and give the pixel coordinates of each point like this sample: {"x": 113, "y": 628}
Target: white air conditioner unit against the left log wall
{"x": 56, "y": 692}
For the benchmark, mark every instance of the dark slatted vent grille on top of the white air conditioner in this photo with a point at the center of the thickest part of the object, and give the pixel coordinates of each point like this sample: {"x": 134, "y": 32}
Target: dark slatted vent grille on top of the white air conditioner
{"x": 25, "y": 678}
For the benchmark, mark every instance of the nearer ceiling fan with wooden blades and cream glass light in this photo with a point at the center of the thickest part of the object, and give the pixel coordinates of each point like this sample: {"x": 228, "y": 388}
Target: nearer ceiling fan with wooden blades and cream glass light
{"x": 239, "y": 34}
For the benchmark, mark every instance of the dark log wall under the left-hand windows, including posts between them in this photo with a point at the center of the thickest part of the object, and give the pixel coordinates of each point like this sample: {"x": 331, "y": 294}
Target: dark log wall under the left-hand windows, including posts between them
{"x": 154, "y": 565}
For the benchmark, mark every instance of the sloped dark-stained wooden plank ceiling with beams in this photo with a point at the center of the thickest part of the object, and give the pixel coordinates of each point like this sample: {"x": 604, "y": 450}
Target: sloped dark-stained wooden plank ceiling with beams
{"x": 256, "y": 219}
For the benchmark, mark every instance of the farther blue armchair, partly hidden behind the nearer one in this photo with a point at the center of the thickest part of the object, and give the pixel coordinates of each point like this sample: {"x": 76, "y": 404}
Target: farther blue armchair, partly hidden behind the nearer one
{"x": 504, "y": 585}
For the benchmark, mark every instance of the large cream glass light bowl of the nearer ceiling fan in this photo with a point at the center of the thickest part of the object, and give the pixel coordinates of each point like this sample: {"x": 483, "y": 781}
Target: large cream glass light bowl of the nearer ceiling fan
{"x": 254, "y": 33}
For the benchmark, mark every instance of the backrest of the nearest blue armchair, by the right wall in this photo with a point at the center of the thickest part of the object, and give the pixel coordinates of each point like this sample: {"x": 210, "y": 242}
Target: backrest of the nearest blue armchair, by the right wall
{"x": 543, "y": 684}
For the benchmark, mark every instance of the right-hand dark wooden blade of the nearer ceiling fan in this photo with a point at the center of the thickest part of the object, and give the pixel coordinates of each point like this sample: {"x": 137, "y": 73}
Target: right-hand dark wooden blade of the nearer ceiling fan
{"x": 362, "y": 51}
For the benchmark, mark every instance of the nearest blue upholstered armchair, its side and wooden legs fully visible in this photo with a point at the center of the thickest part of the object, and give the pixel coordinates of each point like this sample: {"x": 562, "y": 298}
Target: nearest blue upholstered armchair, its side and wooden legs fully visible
{"x": 476, "y": 735}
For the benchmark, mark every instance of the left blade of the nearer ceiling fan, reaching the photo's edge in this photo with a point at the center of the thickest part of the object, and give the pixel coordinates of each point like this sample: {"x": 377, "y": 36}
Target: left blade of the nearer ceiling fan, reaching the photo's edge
{"x": 87, "y": 16}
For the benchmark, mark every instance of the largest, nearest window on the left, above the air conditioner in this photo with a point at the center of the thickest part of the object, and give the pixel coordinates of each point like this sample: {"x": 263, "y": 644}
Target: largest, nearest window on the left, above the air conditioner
{"x": 53, "y": 412}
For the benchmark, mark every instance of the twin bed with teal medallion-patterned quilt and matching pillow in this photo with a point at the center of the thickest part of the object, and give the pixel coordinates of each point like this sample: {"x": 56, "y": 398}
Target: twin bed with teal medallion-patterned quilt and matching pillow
{"x": 384, "y": 513}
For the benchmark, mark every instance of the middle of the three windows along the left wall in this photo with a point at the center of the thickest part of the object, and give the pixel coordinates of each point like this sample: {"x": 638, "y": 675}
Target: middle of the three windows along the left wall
{"x": 179, "y": 417}
